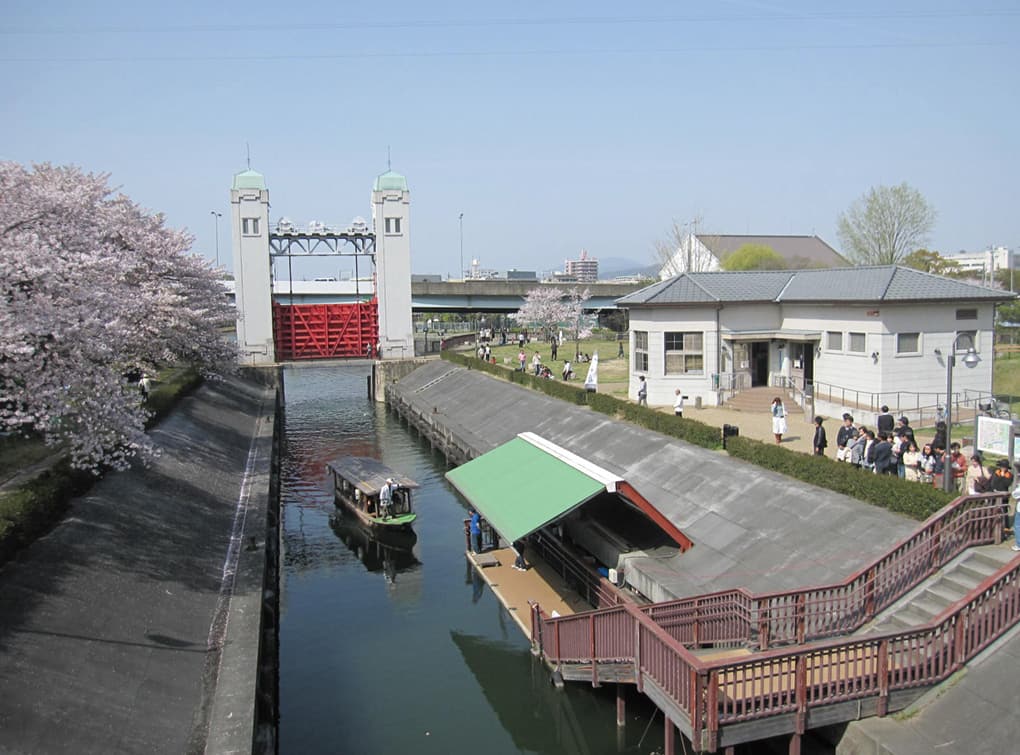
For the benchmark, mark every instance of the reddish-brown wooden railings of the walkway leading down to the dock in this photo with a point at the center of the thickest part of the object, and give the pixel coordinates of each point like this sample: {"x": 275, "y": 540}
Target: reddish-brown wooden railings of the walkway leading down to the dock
{"x": 711, "y": 694}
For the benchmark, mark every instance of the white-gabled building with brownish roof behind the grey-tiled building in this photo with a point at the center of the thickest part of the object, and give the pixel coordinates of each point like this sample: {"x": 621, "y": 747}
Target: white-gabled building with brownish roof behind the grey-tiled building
{"x": 704, "y": 253}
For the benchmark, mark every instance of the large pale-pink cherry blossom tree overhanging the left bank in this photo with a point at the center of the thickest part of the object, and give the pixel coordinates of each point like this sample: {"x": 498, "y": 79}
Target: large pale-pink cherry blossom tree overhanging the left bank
{"x": 93, "y": 292}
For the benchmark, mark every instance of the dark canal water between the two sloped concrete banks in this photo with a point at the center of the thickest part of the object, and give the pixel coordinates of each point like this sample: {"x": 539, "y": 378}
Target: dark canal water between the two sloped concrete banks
{"x": 405, "y": 651}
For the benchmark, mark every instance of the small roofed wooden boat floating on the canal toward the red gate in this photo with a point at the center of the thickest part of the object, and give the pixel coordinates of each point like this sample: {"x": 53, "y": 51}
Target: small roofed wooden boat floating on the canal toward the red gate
{"x": 358, "y": 482}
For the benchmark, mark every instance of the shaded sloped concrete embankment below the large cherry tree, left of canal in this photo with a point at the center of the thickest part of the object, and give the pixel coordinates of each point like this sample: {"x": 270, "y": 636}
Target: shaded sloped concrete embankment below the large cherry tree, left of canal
{"x": 139, "y": 623}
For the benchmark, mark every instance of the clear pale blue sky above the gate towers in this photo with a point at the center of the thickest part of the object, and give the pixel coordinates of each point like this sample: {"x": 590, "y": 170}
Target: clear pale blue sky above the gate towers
{"x": 552, "y": 126}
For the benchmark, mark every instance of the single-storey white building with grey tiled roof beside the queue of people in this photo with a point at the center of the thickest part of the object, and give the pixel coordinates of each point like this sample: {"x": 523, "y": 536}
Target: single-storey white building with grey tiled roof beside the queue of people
{"x": 864, "y": 335}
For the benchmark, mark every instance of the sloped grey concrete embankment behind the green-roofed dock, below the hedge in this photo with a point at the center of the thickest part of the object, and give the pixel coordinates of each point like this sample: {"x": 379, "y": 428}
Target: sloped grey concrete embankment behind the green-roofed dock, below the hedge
{"x": 751, "y": 528}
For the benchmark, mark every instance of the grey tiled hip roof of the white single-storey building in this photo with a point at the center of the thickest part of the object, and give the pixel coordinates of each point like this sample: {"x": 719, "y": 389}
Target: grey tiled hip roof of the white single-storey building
{"x": 877, "y": 284}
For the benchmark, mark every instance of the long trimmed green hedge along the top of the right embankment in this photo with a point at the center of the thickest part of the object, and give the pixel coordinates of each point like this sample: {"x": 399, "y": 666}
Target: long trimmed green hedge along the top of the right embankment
{"x": 912, "y": 499}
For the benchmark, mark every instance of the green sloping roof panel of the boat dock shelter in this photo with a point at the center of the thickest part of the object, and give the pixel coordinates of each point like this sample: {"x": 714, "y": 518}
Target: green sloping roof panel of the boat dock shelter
{"x": 520, "y": 488}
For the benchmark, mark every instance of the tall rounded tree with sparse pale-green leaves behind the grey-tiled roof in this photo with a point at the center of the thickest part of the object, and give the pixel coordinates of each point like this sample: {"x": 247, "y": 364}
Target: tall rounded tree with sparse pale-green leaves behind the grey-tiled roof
{"x": 886, "y": 225}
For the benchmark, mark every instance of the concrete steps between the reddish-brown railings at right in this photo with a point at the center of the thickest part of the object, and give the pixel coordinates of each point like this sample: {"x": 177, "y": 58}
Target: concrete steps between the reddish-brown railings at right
{"x": 943, "y": 589}
